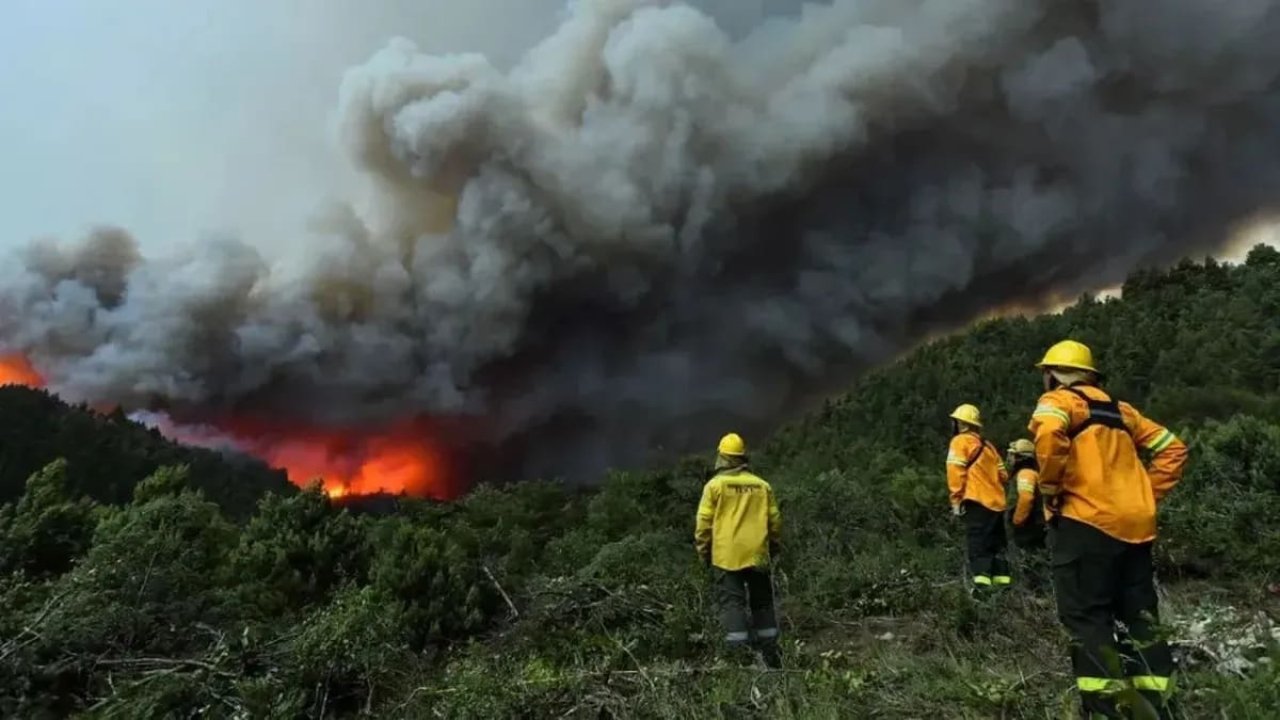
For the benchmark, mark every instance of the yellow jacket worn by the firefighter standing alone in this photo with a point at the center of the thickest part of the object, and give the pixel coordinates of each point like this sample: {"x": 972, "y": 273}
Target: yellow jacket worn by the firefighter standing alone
{"x": 738, "y": 520}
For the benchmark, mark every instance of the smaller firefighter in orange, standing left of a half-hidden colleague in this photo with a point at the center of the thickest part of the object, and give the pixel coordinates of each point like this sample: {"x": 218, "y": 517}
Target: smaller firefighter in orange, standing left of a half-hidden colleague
{"x": 977, "y": 477}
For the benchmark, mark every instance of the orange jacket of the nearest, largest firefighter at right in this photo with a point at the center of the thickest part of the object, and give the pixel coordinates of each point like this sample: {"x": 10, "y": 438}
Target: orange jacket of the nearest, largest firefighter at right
{"x": 1089, "y": 459}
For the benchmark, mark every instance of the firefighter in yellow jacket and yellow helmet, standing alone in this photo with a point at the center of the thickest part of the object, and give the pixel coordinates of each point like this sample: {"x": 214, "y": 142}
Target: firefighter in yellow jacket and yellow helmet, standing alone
{"x": 737, "y": 534}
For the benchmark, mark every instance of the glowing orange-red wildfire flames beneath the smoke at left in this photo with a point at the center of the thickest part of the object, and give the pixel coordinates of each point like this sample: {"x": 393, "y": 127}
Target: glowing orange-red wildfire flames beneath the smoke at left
{"x": 399, "y": 459}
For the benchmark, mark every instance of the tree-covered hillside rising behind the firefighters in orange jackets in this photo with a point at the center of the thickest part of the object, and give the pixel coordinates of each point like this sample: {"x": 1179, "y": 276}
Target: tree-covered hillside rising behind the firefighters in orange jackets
{"x": 1192, "y": 345}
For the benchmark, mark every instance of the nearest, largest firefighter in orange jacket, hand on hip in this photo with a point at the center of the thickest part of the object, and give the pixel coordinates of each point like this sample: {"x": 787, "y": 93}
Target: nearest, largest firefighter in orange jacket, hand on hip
{"x": 1104, "y": 516}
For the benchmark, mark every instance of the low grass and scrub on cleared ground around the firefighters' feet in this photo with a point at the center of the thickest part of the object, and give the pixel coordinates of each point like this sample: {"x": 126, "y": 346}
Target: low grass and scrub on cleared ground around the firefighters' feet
{"x": 1003, "y": 657}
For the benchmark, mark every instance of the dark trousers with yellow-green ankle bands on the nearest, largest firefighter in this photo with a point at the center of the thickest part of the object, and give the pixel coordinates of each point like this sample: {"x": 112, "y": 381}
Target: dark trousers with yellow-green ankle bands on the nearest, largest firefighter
{"x": 1100, "y": 581}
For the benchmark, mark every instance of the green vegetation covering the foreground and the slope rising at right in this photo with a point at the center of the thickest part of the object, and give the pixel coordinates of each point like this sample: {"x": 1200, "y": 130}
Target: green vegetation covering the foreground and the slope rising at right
{"x": 537, "y": 601}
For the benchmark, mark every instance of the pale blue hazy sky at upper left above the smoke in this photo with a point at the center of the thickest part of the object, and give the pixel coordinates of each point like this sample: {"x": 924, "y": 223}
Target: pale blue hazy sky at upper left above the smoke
{"x": 172, "y": 119}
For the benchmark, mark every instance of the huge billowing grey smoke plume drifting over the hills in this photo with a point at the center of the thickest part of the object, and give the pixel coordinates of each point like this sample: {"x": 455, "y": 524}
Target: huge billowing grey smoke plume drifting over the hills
{"x": 651, "y": 231}
